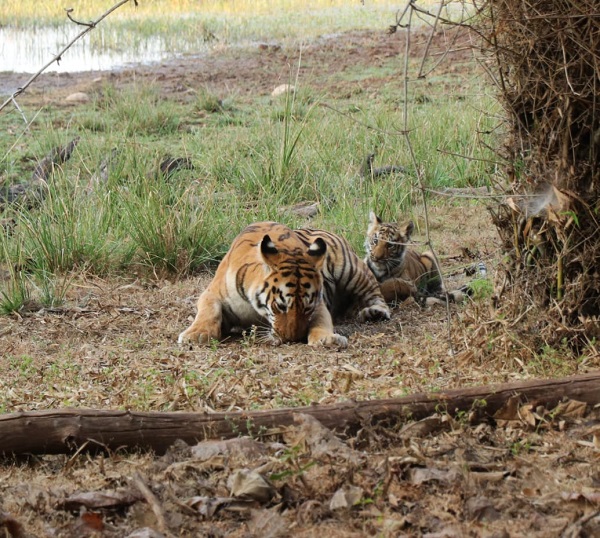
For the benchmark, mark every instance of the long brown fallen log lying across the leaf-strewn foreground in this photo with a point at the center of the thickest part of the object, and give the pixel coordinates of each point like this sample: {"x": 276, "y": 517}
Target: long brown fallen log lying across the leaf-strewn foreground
{"x": 67, "y": 430}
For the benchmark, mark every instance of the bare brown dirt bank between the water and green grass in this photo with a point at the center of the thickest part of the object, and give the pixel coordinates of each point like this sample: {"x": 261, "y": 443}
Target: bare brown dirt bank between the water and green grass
{"x": 258, "y": 69}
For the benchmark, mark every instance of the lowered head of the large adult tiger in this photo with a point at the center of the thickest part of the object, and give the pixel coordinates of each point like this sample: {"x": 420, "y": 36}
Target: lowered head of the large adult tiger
{"x": 293, "y": 289}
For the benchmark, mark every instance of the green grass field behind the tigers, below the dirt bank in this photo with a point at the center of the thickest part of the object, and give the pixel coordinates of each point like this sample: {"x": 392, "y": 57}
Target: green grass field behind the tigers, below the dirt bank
{"x": 253, "y": 157}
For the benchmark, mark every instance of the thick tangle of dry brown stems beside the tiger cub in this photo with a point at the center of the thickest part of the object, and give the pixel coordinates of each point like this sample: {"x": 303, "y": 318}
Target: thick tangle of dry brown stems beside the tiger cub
{"x": 546, "y": 58}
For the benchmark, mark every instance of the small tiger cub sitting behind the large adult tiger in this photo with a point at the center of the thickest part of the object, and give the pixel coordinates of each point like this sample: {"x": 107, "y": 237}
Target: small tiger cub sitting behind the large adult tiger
{"x": 402, "y": 272}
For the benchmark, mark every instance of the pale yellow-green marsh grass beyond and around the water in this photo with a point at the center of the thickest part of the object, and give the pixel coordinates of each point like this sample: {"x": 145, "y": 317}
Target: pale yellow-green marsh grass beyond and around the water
{"x": 189, "y": 25}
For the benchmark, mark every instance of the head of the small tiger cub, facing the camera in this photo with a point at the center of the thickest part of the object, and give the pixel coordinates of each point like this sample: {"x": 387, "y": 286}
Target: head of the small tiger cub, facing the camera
{"x": 386, "y": 244}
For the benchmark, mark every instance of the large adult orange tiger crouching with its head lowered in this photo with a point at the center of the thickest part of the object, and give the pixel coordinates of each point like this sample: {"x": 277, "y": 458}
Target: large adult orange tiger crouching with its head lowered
{"x": 290, "y": 283}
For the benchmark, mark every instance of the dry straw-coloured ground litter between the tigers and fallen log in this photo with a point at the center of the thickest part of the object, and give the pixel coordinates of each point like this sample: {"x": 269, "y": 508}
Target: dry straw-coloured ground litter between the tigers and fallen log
{"x": 113, "y": 346}
